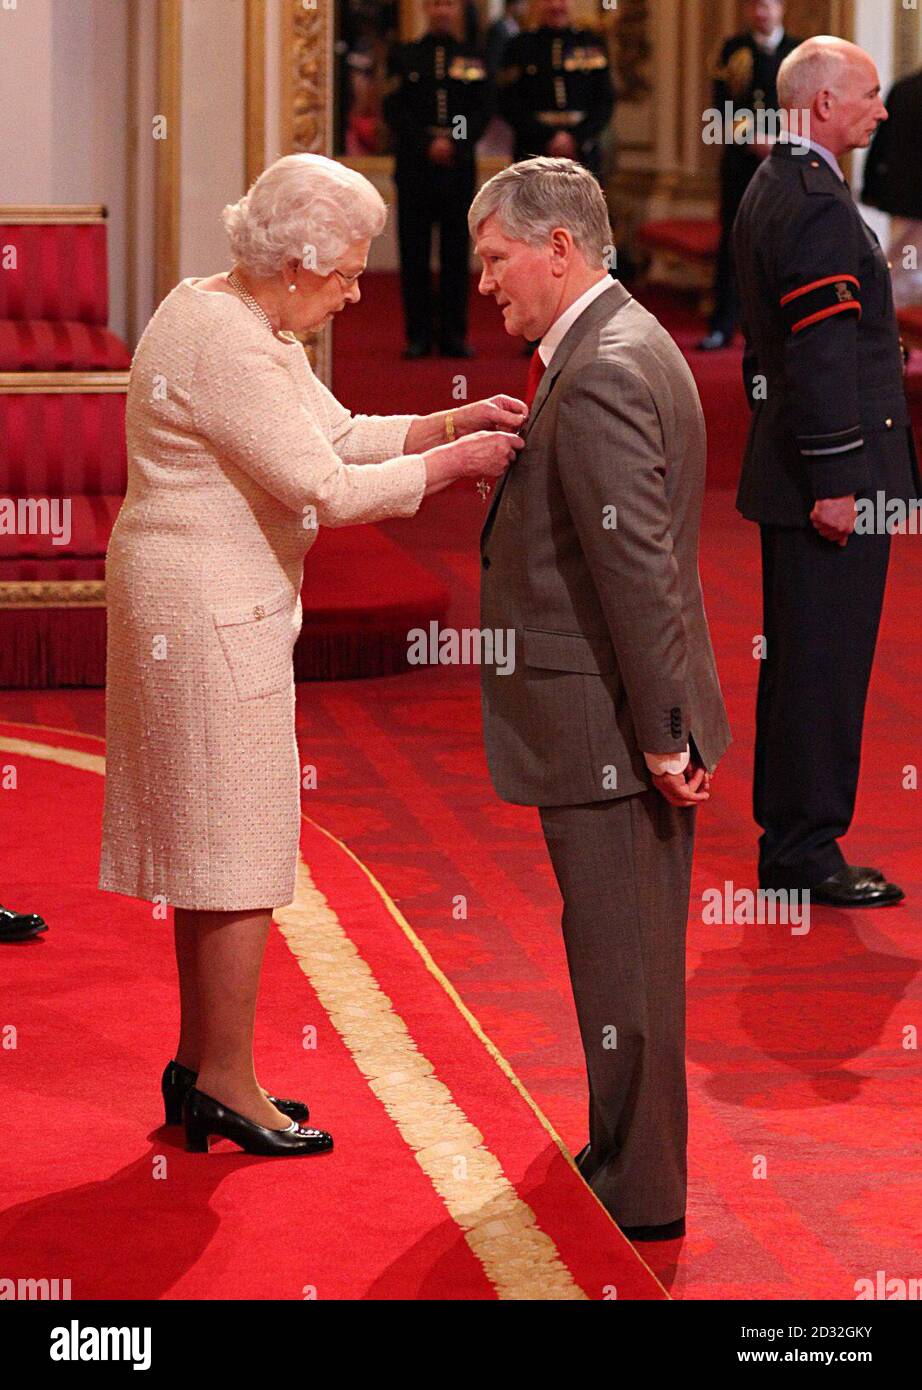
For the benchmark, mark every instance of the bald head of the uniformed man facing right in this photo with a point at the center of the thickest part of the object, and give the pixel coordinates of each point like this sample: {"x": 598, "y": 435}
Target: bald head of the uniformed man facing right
{"x": 831, "y": 91}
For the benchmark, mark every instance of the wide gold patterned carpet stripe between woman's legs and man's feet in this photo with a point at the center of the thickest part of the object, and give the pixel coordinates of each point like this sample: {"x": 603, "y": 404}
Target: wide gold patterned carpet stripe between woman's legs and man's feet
{"x": 521, "y": 1261}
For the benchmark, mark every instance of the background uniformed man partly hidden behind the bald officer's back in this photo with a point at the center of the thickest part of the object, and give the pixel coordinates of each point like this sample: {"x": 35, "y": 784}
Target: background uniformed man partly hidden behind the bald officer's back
{"x": 746, "y": 79}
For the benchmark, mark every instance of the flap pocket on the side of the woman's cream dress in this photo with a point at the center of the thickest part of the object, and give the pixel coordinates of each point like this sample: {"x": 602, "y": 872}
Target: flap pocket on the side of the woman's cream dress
{"x": 258, "y": 646}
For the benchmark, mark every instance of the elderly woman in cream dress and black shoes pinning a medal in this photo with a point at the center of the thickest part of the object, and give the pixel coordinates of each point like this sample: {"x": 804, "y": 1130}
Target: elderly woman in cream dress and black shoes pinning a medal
{"x": 237, "y": 455}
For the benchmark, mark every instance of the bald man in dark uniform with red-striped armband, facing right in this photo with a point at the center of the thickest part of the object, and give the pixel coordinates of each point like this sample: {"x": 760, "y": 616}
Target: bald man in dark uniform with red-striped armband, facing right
{"x": 831, "y": 429}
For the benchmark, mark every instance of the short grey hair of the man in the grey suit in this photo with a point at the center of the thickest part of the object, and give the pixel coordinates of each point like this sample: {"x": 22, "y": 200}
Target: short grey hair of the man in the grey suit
{"x": 532, "y": 198}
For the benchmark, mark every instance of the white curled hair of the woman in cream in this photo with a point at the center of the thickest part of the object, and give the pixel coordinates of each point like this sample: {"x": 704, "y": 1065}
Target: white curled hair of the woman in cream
{"x": 302, "y": 208}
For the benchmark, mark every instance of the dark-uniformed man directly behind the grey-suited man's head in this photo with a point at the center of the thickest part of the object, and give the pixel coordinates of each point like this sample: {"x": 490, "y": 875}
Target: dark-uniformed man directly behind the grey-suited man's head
{"x": 556, "y": 88}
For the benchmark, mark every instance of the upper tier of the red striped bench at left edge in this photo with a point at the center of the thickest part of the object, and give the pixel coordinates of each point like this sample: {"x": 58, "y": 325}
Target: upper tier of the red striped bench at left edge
{"x": 55, "y": 293}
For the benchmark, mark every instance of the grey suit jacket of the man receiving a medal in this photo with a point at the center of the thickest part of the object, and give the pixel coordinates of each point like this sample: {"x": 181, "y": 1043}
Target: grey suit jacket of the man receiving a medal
{"x": 590, "y": 554}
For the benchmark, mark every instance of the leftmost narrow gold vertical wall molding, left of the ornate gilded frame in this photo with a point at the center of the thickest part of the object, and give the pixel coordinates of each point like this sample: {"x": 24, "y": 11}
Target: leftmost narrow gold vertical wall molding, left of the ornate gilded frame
{"x": 169, "y": 152}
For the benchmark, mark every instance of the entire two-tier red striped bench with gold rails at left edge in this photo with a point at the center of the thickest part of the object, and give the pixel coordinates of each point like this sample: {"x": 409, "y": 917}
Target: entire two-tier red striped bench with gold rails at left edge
{"x": 63, "y": 383}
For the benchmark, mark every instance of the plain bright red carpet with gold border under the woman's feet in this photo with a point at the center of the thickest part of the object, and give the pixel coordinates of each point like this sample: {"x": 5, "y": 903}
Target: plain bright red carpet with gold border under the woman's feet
{"x": 446, "y": 1184}
